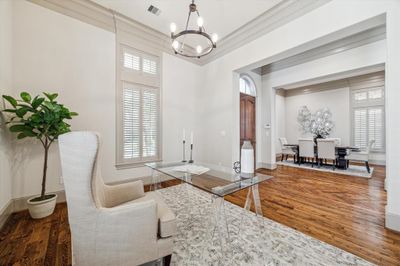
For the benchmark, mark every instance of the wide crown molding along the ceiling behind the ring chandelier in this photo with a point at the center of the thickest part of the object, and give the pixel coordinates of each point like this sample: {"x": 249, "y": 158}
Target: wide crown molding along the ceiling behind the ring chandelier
{"x": 99, "y": 16}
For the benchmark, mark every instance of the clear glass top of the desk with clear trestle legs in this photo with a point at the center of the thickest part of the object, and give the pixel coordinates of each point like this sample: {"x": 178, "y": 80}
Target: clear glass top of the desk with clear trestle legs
{"x": 208, "y": 178}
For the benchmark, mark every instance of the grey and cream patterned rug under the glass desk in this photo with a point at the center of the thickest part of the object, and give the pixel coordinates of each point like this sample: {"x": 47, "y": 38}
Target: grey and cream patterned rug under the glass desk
{"x": 272, "y": 244}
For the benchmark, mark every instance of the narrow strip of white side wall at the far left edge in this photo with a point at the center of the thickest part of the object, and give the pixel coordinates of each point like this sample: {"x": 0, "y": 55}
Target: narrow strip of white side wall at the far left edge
{"x": 5, "y": 88}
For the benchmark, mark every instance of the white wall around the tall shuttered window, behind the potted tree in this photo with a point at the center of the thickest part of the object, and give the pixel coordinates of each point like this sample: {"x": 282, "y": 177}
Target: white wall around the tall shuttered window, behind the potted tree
{"x": 78, "y": 62}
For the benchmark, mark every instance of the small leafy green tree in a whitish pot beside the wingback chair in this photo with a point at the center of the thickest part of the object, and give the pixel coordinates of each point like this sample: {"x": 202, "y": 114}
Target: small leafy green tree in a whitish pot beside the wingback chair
{"x": 44, "y": 119}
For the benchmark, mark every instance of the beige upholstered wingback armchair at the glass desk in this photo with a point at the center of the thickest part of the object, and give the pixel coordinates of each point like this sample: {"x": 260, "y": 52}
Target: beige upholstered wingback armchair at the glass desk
{"x": 111, "y": 225}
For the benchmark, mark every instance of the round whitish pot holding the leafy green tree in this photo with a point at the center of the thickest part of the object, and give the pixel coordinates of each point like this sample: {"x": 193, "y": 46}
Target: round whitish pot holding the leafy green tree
{"x": 41, "y": 208}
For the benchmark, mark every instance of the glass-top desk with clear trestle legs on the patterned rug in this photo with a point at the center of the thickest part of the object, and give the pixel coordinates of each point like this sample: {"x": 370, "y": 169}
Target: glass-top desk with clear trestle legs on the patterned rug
{"x": 217, "y": 184}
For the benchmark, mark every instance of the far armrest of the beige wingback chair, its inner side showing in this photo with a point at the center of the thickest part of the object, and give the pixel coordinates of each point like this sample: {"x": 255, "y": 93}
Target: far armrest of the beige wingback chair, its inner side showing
{"x": 121, "y": 193}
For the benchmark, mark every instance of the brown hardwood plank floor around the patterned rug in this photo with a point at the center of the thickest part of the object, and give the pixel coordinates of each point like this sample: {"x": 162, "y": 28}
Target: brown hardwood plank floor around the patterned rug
{"x": 347, "y": 212}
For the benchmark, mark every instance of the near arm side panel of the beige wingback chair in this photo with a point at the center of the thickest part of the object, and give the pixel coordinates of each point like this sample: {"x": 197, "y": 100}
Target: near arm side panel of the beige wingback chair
{"x": 127, "y": 234}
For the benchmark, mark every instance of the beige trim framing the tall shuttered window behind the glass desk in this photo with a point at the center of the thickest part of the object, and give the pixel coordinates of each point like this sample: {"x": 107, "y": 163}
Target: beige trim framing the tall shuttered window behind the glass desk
{"x": 143, "y": 80}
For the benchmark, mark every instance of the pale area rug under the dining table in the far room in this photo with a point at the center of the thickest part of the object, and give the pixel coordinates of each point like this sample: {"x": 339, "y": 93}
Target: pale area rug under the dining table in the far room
{"x": 353, "y": 170}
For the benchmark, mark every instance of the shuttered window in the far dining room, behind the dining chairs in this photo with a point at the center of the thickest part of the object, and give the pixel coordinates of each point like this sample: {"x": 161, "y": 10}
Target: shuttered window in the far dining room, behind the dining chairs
{"x": 368, "y": 117}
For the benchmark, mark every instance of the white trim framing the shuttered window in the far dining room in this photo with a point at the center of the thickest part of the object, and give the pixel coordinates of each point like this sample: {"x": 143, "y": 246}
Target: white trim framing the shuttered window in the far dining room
{"x": 368, "y": 104}
